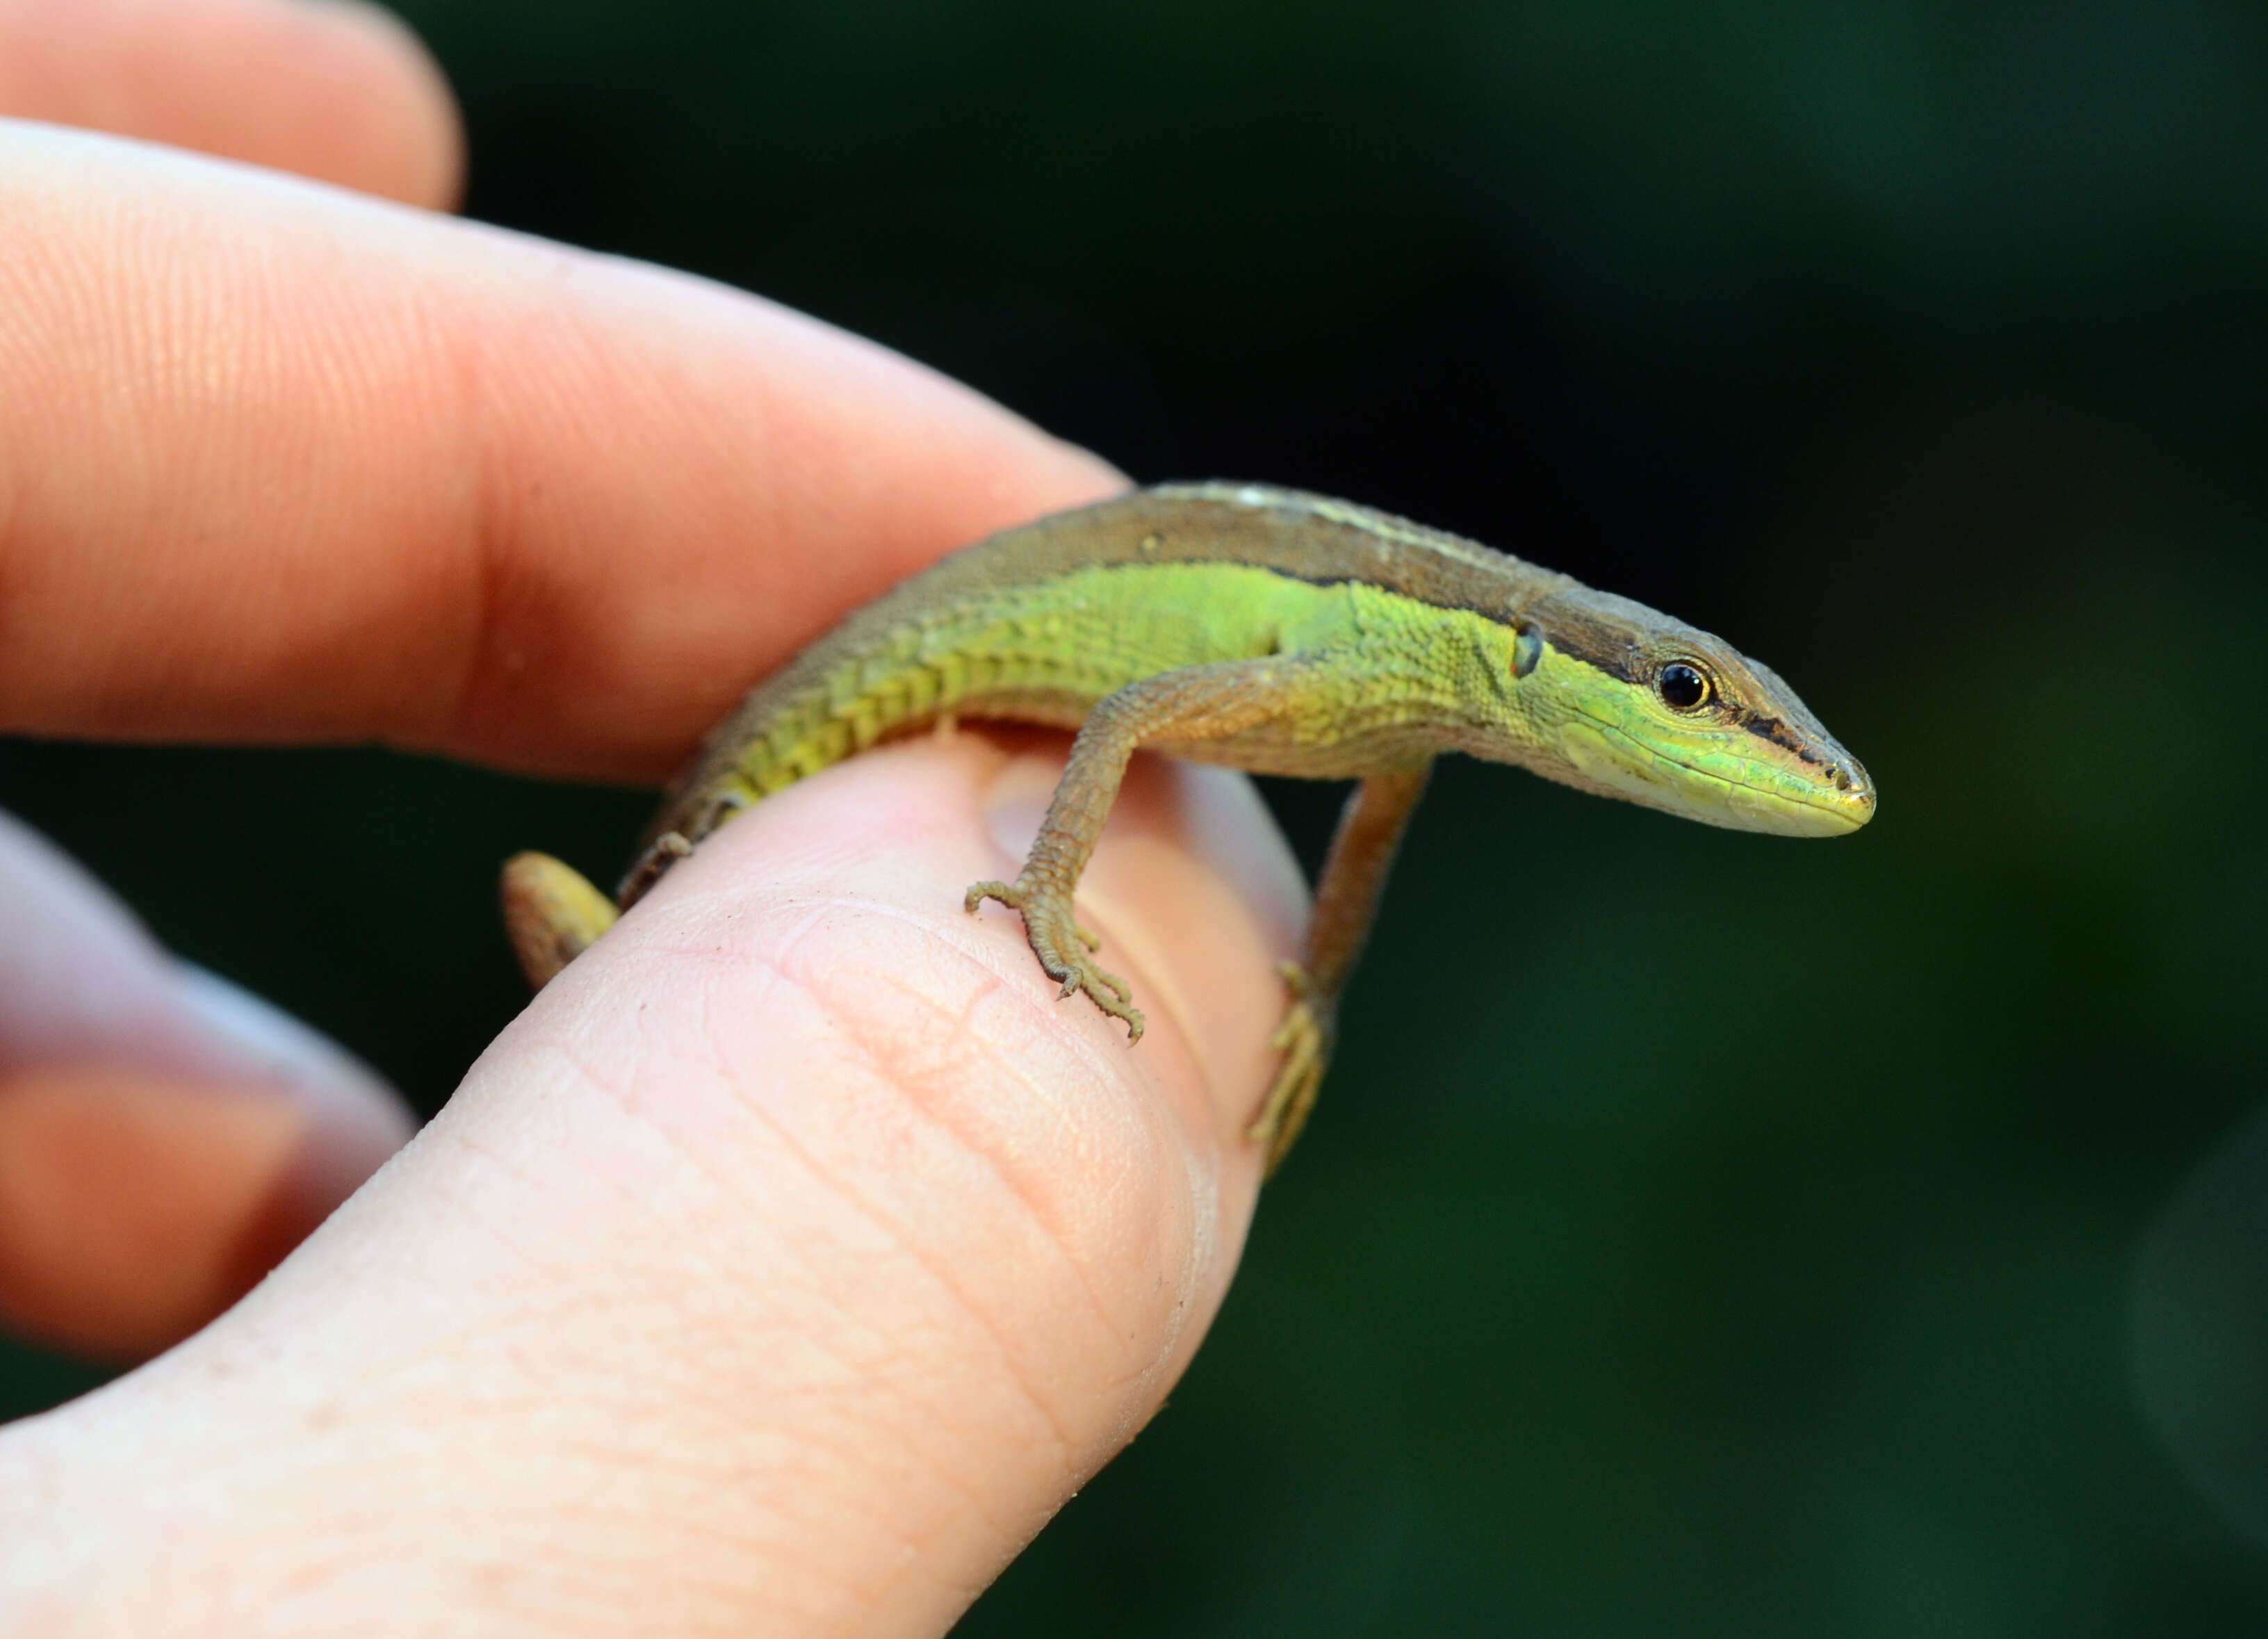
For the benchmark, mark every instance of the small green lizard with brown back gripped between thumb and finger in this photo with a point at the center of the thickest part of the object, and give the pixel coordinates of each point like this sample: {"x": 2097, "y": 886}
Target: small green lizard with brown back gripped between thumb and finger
{"x": 1269, "y": 631}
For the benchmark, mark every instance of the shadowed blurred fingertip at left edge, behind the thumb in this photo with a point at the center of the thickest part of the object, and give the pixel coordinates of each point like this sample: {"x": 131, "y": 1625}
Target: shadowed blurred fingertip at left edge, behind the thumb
{"x": 164, "y": 1139}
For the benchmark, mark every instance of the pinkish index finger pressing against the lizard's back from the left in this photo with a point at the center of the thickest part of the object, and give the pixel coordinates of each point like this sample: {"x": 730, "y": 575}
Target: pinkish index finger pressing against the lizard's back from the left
{"x": 280, "y": 464}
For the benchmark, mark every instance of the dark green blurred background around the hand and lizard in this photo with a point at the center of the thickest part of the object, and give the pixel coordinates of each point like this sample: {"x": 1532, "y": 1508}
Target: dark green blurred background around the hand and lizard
{"x": 1702, "y": 1234}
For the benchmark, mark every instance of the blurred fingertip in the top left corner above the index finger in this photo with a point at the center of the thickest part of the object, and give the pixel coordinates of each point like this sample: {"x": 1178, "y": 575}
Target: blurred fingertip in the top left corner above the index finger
{"x": 325, "y": 90}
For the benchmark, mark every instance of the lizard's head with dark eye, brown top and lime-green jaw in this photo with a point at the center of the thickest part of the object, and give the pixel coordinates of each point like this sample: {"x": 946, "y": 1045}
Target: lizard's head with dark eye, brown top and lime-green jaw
{"x": 1618, "y": 699}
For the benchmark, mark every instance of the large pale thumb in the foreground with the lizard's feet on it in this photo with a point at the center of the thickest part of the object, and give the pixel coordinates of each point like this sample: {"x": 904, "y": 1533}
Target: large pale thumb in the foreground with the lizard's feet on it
{"x": 779, "y": 1271}
